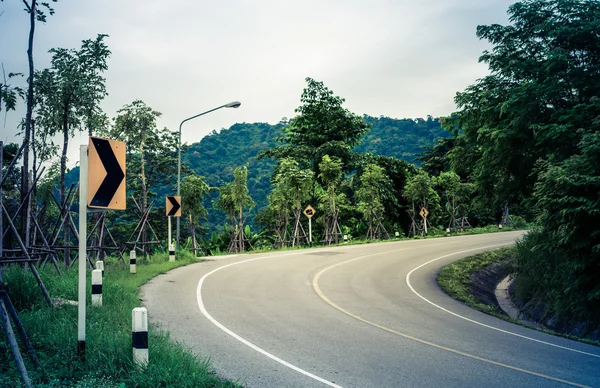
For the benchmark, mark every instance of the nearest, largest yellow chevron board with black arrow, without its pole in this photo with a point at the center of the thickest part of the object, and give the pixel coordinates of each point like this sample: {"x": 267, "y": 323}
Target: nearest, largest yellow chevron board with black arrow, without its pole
{"x": 106, "y": 174}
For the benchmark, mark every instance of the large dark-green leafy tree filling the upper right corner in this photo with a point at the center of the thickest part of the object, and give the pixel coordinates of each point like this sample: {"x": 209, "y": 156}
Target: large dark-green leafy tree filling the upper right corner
{"x": 543, "y": 74}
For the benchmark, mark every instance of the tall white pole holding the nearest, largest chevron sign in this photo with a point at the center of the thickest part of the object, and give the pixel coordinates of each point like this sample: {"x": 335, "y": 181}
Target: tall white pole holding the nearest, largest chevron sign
{"x": 83, "y": 195}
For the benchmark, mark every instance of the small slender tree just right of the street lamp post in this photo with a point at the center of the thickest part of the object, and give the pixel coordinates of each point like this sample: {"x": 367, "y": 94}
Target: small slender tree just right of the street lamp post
{"x": 193, "y": 191}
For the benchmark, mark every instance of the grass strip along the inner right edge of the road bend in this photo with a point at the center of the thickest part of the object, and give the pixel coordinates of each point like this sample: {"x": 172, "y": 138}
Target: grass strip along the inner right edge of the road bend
{"x": 455, "y": 280}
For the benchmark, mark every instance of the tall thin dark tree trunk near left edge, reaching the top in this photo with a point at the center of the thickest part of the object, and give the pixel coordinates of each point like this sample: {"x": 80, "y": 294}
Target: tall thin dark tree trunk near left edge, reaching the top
{"x": 27, "y": 139}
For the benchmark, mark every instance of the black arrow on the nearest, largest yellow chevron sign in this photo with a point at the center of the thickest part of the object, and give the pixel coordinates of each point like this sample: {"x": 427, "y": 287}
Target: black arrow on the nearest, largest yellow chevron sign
{"x": 114, "y": 174}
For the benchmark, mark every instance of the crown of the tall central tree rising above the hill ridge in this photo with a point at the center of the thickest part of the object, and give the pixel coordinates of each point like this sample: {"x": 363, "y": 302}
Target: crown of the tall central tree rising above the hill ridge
{"x": 322, "y": 127}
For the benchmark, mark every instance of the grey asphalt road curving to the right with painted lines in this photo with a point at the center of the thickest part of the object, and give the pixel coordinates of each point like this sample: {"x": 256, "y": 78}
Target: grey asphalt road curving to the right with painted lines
{"x": 357, "y": 316}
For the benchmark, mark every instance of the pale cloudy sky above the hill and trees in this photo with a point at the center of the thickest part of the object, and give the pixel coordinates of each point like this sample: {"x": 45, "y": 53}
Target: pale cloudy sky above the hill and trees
{"x": 395, "y": 58}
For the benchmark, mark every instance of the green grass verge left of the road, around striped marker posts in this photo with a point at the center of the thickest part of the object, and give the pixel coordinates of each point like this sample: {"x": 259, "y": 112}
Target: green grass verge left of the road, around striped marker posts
{"x": 108, "y": 363}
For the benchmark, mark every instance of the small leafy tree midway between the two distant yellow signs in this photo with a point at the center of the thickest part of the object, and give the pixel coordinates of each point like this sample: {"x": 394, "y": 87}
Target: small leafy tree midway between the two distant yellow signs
{"x": 370, "y": 195}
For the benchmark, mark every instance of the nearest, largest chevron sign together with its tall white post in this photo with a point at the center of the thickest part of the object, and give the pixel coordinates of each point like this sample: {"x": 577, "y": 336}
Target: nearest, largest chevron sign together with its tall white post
{"x": 101, "y": 187}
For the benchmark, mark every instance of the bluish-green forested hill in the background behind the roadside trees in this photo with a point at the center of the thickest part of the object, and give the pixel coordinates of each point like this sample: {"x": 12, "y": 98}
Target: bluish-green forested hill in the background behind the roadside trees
{"x": 218, "y": 154}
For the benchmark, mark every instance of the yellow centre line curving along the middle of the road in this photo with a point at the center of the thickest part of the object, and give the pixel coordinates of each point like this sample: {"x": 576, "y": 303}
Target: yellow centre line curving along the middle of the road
{"x": 341, "y": 309}
